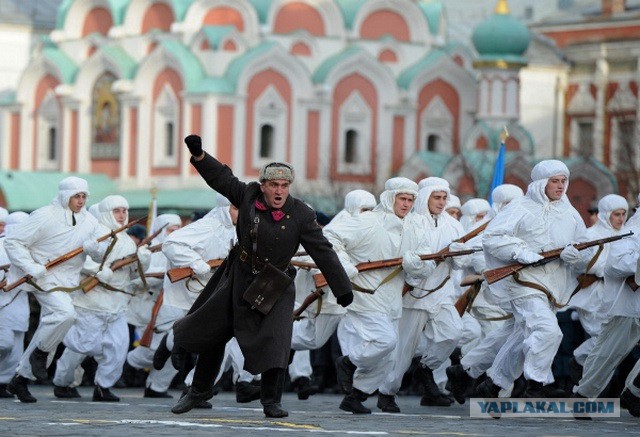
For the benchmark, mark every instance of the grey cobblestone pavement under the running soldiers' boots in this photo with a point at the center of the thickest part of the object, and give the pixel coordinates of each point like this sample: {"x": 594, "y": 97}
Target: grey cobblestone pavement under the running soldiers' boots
{"x": 138, "y": 416}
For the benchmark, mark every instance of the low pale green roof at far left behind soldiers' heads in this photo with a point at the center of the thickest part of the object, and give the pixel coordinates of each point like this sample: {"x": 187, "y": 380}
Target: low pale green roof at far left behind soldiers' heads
{"x": 29, "y": 190}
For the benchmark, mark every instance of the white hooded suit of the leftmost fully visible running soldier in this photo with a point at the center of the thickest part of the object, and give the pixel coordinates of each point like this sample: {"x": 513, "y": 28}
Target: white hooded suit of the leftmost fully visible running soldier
{"x": 46, "y": 234}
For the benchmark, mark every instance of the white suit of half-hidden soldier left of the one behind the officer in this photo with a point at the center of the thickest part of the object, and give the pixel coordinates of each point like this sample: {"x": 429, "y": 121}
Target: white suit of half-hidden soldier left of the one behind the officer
{"x": 141, "y": 306}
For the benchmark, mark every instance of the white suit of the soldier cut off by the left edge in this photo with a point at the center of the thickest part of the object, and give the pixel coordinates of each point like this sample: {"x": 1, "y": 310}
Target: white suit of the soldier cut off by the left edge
{"x": 14, "y": 309}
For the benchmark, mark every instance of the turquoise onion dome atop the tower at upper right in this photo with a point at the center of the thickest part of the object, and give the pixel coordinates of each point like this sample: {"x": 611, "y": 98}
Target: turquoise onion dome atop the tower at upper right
{"x": 501, "y": 35}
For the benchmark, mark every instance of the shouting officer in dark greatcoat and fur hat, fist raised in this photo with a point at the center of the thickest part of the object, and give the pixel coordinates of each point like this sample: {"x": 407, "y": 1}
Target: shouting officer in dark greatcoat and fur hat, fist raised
{"x": 280, "y": 223}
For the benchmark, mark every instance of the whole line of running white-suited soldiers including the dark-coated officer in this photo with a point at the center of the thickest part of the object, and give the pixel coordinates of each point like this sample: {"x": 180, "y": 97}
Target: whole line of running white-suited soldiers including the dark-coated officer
{"x": 385, "y": 317}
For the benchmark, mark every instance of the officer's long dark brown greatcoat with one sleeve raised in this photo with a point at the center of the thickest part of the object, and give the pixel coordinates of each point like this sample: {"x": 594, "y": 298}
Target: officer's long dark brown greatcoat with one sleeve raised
{"x": 220, "y": 312}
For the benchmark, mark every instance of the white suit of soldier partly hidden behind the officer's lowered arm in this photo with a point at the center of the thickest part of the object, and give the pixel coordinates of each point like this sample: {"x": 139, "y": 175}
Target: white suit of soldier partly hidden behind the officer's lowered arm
{"x": 322, "y": 317}
